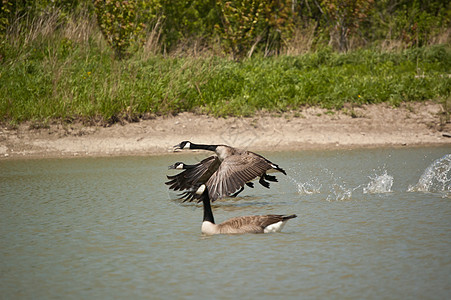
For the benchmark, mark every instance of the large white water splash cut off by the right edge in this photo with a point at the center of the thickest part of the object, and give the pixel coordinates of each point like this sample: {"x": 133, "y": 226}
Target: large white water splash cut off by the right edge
{"x": 436, "y": 178}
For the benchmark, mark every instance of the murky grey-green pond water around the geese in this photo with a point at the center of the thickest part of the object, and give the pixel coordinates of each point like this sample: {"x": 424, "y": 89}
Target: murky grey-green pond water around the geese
{"x": 372, "y": 224}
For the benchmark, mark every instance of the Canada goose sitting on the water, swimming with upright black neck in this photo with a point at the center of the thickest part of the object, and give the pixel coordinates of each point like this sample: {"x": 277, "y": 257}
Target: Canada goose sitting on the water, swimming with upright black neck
{"x": 245, "y": 224}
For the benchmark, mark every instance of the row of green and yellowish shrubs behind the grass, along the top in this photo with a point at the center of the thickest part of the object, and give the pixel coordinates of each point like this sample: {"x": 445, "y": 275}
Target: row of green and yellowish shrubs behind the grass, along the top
{"x": 245, "y": 27}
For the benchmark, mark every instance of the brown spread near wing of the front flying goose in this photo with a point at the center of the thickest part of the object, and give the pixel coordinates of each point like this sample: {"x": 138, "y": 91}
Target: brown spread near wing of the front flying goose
{"x": 234, "y": 172}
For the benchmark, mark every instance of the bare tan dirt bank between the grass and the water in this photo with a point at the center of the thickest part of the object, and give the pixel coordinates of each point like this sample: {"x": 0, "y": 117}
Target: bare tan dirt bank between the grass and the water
{"x": 312, "y": 128}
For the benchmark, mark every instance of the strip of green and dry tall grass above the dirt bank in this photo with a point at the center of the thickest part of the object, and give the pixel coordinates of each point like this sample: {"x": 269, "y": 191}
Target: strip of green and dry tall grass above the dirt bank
{"x": 63, "y": 72}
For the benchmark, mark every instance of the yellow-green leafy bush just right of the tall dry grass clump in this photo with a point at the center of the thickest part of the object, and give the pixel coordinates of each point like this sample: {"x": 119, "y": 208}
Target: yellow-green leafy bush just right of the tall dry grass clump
{"x": 120, "y": 24}
